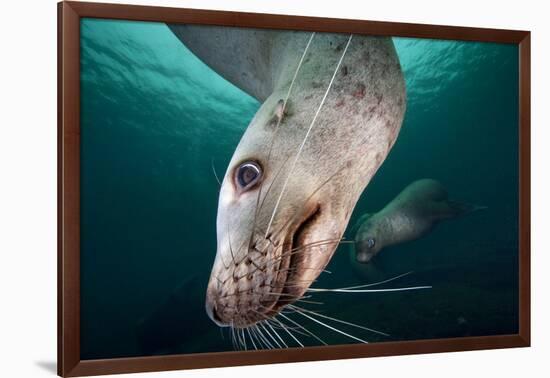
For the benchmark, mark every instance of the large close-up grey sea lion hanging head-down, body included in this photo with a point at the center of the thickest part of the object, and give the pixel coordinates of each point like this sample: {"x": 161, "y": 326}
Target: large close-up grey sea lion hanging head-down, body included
{"x": 332, "y": 107}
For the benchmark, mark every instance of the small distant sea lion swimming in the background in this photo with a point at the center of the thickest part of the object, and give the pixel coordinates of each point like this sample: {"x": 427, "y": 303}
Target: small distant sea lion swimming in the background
{"x": 409, "y": 216}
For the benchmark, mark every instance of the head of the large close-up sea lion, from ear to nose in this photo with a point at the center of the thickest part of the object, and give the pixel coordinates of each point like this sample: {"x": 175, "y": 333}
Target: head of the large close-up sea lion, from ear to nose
{"x": 280, "y": 218}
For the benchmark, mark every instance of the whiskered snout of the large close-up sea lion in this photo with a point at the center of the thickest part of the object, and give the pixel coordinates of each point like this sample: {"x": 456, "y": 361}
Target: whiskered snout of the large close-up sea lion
{"x": 254, "y": 278}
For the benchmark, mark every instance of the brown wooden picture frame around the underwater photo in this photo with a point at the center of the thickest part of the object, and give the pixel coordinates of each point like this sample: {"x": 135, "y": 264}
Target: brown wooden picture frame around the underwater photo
{"x": 69, "y": 361}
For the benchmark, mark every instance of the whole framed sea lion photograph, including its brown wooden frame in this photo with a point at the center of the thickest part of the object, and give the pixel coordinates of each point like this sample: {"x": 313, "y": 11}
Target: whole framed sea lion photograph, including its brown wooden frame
{"x": 239, "y": 188}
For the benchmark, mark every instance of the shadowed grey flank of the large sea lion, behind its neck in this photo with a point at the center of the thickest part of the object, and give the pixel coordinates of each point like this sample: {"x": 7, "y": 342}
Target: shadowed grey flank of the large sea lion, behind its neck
{"x": 240, "y": 55}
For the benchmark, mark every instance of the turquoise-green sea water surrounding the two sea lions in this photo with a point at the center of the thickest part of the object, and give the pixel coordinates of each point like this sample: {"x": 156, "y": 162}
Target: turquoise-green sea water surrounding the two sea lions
{"x": 154, "y": 117}
